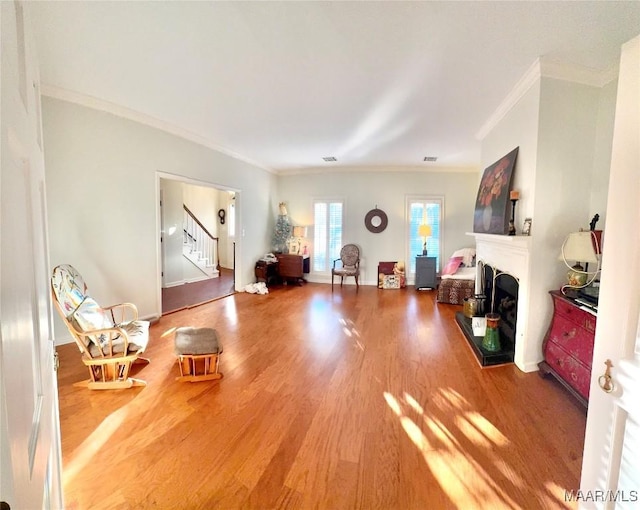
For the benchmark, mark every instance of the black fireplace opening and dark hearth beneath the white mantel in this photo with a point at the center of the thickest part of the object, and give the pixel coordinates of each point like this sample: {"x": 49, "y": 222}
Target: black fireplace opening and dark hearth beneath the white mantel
{"x": 501, "y": 291}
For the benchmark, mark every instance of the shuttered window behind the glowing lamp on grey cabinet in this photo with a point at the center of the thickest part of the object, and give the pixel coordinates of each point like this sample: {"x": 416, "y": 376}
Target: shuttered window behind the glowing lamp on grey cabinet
{"x": 424, "y": 210}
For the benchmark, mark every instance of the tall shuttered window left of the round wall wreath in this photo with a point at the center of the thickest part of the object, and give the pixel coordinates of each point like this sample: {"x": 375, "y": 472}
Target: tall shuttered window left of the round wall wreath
{"x": 327, "y": 233}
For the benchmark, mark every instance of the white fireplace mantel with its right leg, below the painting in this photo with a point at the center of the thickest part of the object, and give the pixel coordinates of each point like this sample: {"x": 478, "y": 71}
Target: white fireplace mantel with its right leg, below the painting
{"x": 511, "y": 254}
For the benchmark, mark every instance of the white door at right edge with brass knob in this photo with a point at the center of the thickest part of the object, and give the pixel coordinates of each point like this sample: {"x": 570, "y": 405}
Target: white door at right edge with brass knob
{"x": 611, "y": 469}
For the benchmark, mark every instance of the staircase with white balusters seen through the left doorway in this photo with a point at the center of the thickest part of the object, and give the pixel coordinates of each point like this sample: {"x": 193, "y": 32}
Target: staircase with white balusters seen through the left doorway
{"x": 199, "y": 246}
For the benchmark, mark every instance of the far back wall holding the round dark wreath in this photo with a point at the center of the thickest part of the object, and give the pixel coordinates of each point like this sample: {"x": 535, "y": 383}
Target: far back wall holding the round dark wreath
{"x": 363, "y": 189}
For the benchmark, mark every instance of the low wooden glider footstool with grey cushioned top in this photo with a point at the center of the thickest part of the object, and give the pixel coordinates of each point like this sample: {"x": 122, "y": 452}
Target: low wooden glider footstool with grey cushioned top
{"x": 198, "y": 348}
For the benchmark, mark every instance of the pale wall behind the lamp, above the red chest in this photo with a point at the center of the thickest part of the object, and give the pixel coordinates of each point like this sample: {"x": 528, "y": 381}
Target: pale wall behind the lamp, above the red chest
{"x": 566, "y": 155}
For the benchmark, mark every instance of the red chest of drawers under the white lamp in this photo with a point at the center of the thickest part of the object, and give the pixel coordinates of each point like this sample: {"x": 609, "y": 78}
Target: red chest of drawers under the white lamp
{"x": 568, "y": 346}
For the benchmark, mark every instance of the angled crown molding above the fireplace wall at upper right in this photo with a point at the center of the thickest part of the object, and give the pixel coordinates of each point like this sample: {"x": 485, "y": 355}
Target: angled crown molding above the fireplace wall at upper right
{"x": 547, "y": 69}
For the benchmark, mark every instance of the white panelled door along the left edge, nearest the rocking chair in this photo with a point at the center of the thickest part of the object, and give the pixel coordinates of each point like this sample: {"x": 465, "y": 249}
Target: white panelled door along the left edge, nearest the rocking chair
{"x": 29, "y": 426}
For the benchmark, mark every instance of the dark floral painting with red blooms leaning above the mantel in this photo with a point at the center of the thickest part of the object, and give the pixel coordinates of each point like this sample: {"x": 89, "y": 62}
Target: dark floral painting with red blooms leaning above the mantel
{"x": 491, "y": 214}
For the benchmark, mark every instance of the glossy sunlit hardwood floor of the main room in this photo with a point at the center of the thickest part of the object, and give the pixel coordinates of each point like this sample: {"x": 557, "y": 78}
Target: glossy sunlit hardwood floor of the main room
{"x": 331, "y": 401}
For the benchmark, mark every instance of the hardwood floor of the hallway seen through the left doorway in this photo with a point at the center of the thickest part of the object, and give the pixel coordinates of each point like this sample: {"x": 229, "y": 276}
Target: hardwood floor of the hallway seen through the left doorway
{"x": 197, "y": 293}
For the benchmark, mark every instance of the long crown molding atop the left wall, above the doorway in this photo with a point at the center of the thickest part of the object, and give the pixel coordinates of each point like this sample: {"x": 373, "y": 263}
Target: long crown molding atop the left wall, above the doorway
{"x": 95, "y": 103}
